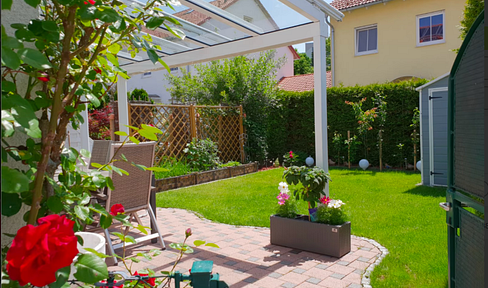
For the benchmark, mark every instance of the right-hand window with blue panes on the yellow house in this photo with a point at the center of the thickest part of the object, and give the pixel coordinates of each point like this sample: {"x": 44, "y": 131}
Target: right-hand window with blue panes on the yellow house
{"x": 430, "y": 28}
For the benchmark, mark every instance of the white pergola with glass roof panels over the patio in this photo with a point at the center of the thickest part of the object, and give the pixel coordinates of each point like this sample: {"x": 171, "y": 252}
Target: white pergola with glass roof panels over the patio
{"x": 221, "y": 29}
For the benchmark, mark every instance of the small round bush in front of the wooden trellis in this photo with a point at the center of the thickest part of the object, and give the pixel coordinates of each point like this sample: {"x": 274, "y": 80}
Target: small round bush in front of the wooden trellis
{"x": 202, "y": 154}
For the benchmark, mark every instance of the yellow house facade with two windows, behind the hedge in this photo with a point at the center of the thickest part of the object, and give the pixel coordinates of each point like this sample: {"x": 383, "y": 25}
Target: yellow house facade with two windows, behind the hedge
{"x": 382, "y": 41}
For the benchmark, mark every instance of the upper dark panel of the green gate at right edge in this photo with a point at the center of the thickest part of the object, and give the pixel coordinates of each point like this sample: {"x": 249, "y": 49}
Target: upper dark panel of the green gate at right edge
{"x": 469, "y": 117}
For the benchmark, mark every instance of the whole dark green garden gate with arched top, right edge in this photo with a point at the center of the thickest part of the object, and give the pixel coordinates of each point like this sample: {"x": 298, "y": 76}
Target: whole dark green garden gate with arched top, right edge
{"x": 466, "y": 158}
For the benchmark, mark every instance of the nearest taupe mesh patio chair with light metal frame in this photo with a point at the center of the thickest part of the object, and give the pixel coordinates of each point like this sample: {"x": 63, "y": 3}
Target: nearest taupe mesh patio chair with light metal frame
{"x": 134, "y": 190}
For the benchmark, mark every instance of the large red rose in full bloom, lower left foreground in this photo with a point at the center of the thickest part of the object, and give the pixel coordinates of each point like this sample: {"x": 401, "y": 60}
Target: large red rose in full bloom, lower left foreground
{"x": 37, "y": 252}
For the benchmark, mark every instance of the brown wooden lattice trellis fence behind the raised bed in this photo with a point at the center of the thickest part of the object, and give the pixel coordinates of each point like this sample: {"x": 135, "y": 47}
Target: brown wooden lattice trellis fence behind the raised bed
{"x": 181, "y": 123}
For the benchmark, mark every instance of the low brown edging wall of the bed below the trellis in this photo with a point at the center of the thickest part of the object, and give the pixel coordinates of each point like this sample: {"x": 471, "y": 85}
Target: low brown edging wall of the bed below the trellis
{"x": 204, "y": 177}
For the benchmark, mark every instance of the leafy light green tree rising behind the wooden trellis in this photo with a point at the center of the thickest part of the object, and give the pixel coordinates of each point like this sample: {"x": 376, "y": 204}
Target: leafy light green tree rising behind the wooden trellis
{"x": 250, "y": 82}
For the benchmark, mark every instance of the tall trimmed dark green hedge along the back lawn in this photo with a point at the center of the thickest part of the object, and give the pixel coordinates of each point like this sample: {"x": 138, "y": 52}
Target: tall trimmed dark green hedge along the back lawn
{"x": 291, "y": 122}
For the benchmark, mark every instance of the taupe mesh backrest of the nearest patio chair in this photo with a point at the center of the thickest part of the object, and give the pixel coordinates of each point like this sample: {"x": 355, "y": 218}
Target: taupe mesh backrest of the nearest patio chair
{"x": 133, "y": 190}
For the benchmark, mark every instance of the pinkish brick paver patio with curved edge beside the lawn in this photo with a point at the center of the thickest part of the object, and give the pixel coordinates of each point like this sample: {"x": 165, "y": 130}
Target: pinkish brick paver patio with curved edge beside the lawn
{"x": 247, "y": 259}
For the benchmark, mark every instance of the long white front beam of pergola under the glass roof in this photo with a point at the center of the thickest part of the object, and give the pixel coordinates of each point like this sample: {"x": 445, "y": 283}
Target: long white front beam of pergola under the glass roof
{"x": 272, "y": 40}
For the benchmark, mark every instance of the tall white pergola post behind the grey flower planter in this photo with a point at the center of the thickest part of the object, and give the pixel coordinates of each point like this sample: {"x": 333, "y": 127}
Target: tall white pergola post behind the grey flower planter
{"x": 320, "y": 99}
